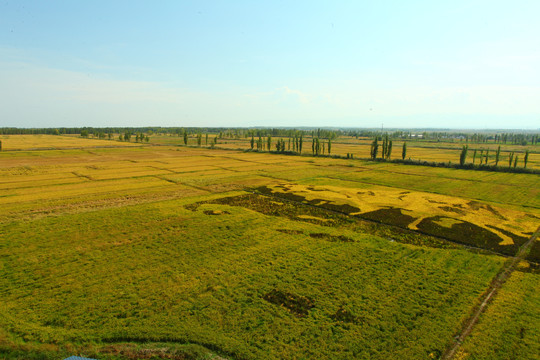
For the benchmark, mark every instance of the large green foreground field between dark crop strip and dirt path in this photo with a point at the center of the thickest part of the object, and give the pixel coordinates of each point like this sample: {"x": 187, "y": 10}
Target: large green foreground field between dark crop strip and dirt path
{"x": 162, "y": 273}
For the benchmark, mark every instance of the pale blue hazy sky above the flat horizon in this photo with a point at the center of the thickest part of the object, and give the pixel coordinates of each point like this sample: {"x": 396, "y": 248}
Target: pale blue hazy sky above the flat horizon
{"x": 457, "y": 64}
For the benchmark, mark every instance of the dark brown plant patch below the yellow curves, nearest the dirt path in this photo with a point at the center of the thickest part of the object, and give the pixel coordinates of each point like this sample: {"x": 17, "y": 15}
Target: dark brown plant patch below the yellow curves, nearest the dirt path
{"x": 468, "y": 234}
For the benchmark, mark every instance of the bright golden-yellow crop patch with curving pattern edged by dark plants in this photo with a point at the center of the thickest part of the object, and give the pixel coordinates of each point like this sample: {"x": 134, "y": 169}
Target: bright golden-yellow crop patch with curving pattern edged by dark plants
{"x": 418, "y": 206}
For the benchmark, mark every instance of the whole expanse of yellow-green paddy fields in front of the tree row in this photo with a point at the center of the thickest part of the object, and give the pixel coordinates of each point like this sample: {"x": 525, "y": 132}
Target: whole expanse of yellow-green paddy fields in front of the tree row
{"x": 130, "y": 251}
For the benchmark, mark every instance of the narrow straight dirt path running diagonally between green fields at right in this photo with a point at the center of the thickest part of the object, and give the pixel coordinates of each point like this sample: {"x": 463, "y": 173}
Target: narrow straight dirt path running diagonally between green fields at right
{"x": 497, "y": 282}
